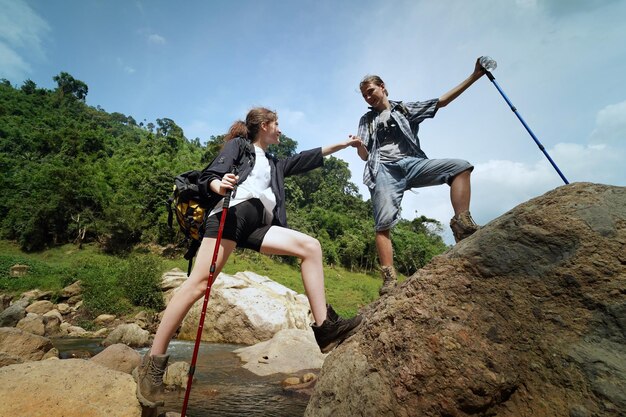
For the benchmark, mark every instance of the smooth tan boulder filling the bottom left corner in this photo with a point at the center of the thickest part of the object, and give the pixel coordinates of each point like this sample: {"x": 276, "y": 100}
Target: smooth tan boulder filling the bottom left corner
{"x": 69, "y": 388}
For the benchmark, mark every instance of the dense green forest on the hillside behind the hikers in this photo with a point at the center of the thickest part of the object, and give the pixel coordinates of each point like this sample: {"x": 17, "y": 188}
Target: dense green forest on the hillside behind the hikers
{"x": 74, "y": 173}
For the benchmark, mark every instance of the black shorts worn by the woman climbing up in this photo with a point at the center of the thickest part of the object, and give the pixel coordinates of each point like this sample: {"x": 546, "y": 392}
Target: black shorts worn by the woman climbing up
{"x": 244, "y": 224}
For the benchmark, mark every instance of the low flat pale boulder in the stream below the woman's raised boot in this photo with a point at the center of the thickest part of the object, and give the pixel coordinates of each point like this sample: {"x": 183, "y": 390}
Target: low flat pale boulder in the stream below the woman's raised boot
{"x": 277, "y": 354}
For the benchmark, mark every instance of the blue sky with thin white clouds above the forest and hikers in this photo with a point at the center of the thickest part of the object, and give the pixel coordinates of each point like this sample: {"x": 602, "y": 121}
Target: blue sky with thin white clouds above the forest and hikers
{"x": 205, "y": 63}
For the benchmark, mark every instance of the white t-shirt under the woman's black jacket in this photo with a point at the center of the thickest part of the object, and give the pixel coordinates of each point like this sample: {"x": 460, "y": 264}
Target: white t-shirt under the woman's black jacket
{"x": 256, "y": 185}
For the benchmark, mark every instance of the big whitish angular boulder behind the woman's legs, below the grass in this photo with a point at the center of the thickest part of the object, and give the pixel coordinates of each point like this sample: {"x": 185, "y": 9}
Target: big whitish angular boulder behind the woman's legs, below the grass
{"x": 247, "y": 308}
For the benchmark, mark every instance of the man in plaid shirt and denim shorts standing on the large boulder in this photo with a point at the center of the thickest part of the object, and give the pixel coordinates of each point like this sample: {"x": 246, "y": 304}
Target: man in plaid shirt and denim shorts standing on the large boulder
{"x": 395, "y": 163}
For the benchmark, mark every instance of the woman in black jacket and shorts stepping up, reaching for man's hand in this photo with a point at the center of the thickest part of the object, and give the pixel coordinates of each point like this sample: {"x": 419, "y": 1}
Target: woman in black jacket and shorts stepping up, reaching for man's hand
{"x": 256, "y": 220}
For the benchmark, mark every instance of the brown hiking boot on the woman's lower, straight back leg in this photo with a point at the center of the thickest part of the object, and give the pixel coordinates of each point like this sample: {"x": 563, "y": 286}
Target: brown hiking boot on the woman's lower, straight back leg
{"x": 149, "y": 378}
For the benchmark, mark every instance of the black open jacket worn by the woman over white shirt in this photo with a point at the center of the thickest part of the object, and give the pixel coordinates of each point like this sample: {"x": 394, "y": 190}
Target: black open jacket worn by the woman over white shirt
{"x": 239, "y": 153}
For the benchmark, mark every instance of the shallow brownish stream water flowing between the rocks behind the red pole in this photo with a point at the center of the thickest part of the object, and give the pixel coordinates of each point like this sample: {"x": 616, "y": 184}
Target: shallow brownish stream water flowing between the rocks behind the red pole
{"x": 221, "y": 386}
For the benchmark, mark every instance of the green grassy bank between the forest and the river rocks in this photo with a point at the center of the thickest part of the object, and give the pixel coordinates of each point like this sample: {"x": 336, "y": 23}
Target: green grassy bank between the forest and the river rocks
{"x": 120, "y": 286}
